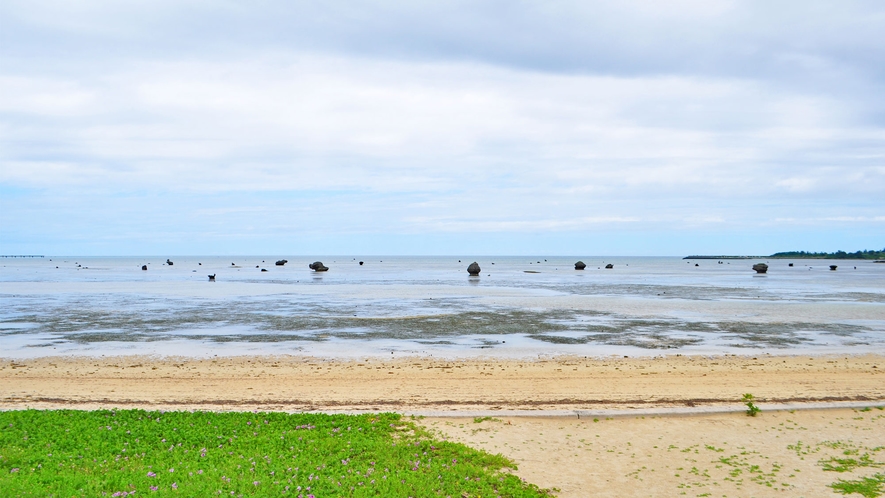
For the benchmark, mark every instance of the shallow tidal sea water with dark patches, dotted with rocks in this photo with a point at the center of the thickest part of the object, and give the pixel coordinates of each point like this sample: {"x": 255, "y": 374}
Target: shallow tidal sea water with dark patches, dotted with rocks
{"x": 518, "y": 307}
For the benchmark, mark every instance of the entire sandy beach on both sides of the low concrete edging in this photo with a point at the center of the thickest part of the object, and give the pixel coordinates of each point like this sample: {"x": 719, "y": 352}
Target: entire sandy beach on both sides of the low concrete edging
{"x": 616, "y": 456}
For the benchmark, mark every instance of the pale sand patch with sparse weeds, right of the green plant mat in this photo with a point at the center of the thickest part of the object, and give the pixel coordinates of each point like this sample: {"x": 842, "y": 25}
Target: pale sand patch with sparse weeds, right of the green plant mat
{"x": 773, "y": 454}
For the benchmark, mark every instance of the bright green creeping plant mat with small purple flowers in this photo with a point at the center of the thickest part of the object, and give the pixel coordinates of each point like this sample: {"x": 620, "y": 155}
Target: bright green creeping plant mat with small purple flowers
{"x": 154, "y": 453}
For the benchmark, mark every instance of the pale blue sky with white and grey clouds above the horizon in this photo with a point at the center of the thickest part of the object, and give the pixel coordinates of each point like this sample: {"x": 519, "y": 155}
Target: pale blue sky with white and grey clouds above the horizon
{"x": 419, "y": 128}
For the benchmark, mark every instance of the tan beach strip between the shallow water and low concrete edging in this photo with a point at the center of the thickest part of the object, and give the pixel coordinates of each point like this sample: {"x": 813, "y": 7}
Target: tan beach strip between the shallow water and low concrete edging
{"x": 295, "y": 383}
